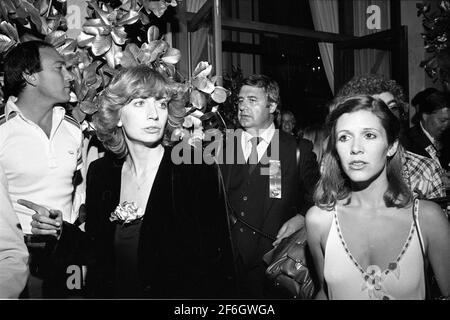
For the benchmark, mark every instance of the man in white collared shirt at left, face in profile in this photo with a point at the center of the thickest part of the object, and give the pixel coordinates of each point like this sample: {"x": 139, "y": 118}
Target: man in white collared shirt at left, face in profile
{"x": 40, "y": 146}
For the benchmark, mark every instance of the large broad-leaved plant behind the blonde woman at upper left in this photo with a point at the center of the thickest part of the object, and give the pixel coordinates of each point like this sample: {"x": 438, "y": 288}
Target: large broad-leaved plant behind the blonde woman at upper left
{"x": 105, "y": 45}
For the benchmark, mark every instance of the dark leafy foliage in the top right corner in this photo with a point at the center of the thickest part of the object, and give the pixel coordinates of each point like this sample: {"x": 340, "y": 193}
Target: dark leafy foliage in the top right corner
{"x": 437, "y": 42}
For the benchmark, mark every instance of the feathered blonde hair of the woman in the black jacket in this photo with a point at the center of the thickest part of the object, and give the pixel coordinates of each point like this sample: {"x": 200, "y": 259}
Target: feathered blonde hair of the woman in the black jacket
{"x": 130, "y": 83}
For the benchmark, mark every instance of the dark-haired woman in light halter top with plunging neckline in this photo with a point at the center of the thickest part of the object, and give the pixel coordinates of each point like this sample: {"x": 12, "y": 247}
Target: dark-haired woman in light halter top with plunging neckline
{"x": 362, "y": 235}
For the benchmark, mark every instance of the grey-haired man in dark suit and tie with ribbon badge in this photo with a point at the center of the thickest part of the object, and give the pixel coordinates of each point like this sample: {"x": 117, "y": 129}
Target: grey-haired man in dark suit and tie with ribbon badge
{"x": 263, "y": 188}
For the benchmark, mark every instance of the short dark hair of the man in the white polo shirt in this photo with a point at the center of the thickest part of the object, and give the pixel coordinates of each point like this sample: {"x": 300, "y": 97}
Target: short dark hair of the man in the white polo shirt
{"x": 24, "y": 58}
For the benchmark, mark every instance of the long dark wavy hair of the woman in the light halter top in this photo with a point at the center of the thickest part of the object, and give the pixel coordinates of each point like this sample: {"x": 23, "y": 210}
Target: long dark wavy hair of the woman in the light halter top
{"x": 334, "y": 185}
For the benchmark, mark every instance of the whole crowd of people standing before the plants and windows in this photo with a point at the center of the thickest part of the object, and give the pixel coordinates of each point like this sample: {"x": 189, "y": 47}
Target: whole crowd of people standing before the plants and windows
{"x": 360, "y": 184}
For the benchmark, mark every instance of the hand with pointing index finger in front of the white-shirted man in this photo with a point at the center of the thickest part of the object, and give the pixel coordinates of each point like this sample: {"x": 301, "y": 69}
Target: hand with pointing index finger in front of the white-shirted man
{"x": 45, "y": 221}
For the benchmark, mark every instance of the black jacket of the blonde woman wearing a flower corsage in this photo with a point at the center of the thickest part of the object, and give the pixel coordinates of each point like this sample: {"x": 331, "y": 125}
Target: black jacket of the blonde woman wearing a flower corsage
{"x": 184, "y": 246}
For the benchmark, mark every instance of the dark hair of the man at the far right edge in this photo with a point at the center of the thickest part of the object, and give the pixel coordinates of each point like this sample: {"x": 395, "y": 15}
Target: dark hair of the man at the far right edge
{"x": 431, "y": 100}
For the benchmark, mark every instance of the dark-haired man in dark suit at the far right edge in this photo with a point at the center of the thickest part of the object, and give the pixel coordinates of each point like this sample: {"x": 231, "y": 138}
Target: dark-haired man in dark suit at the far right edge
{"x": 427, "y": 137}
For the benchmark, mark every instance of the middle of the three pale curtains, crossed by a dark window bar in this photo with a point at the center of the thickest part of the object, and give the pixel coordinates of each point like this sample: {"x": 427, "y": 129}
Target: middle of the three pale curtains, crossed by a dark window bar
{"x": 325, "y": 18}
